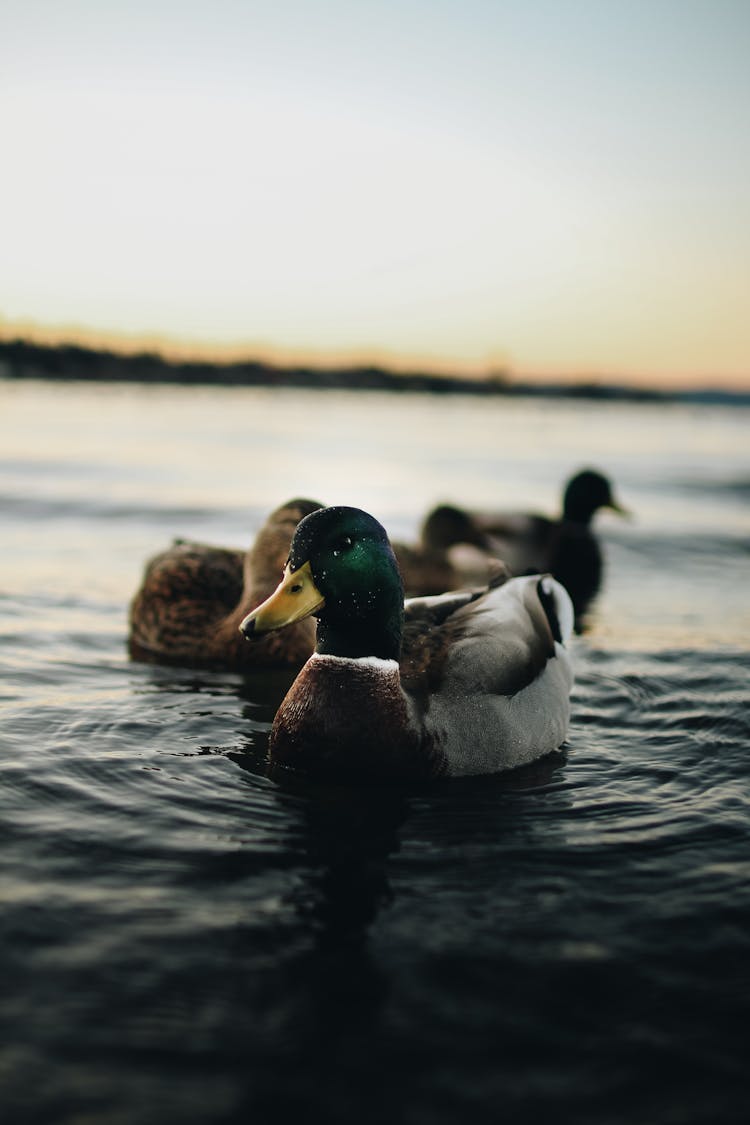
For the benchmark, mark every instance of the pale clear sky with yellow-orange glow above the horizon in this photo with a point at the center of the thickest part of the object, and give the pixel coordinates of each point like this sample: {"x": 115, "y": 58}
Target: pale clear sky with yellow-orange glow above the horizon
{"x": 555, "y": 188}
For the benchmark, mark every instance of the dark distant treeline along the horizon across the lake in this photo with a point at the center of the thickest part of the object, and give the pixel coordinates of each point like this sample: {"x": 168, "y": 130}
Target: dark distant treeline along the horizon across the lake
{"x": 21, "y": 359}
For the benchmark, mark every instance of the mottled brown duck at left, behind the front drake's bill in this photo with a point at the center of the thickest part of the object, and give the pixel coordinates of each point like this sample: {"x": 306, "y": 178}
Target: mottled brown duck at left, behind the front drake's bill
{"x": 194, "y": 597}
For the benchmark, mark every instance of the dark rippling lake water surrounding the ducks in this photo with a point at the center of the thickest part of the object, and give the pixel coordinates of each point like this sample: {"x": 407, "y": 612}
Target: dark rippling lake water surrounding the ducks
{"x": 185, "y": 940}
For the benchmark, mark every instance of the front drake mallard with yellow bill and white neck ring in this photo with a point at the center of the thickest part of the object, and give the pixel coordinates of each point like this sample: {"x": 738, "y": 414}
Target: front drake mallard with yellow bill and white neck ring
{"x": 473, "y": 682}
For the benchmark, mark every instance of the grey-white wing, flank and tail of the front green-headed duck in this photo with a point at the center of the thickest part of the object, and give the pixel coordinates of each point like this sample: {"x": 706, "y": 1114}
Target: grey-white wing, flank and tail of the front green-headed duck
{"x": 491, "y": 683}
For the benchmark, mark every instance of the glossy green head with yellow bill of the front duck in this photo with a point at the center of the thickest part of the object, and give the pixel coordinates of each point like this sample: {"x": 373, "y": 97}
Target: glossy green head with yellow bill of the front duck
{"x": 342, "y": 571}
